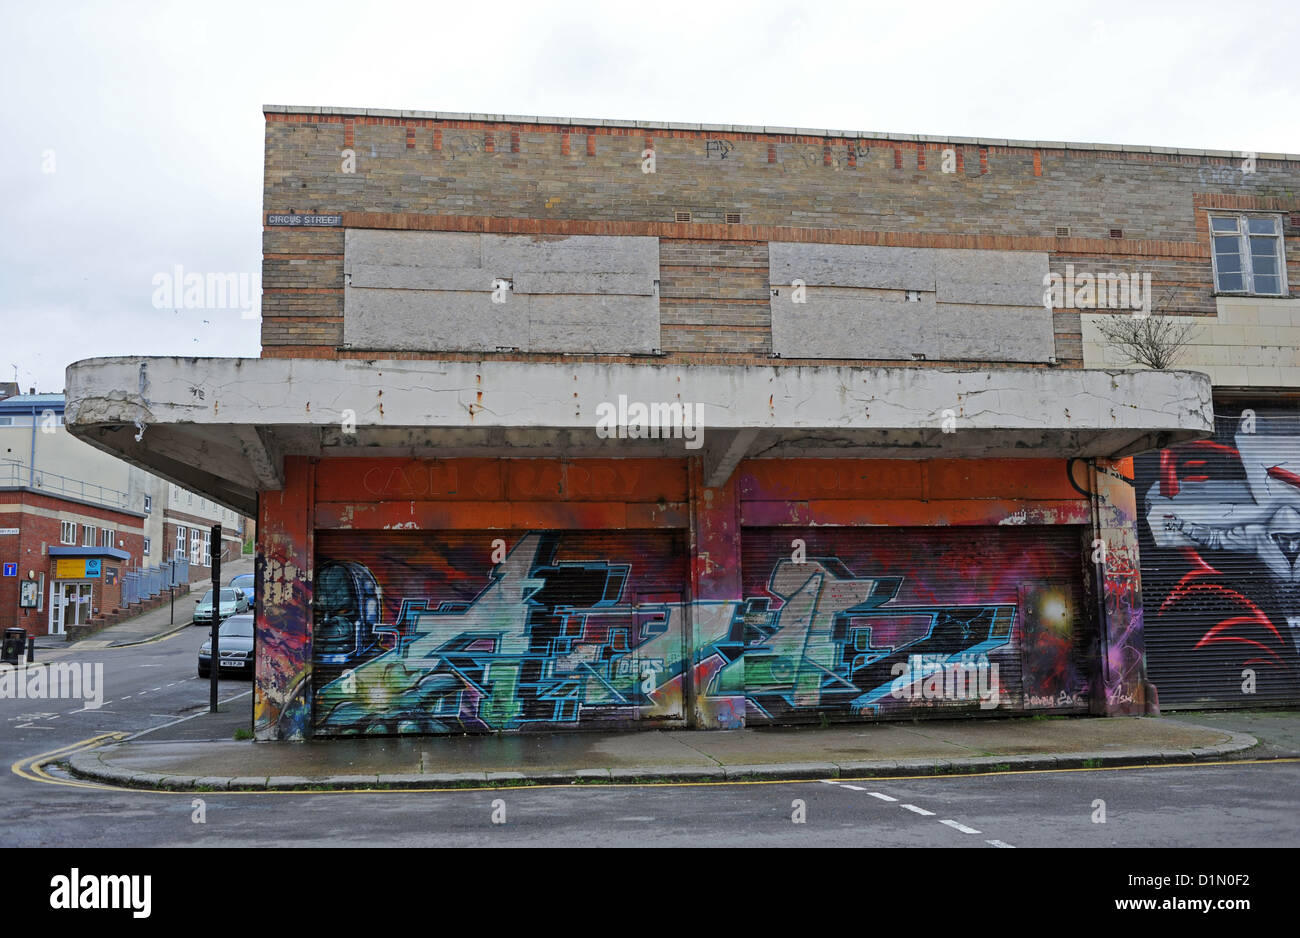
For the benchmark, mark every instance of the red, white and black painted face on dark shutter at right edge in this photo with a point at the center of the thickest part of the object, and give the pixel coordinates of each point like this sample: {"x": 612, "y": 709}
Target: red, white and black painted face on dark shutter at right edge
{"x": 1221, "y": 562}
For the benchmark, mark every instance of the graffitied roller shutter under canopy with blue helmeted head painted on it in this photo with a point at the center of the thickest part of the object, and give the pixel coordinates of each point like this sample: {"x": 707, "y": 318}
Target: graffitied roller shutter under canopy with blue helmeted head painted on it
{"x": 423, "y": 633}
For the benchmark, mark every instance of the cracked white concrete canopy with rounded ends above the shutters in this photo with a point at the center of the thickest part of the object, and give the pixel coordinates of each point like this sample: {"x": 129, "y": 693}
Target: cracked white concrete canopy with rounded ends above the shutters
{"x": 223, "y": 427}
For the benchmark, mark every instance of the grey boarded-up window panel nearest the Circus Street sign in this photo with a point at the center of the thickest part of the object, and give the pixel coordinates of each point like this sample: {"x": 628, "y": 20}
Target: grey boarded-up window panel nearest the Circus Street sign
{"x": 449, "y": 290}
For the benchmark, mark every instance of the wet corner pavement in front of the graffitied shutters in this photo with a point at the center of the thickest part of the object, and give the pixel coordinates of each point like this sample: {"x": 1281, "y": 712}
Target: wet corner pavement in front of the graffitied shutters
{"x": 202, "y": 753}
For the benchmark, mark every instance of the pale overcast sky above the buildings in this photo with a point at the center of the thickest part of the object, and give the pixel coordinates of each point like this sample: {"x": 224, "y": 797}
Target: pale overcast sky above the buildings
{"x": 135, "y": 132}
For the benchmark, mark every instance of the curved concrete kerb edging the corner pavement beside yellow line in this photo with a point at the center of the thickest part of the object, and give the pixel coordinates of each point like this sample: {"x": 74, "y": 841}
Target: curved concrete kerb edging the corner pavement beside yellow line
{"x": 88, "y": 765}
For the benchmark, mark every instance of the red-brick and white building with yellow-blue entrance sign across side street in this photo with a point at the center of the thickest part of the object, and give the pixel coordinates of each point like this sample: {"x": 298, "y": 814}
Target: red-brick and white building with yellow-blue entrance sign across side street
{"x": 88, "y": 531}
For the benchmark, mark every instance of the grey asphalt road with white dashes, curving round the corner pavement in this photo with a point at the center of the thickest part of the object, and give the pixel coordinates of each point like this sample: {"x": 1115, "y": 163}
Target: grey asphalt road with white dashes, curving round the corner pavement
{"x": 148, "y": 687}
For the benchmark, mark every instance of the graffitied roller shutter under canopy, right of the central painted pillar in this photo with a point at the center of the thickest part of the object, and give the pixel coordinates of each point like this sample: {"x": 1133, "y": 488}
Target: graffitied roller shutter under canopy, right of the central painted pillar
{"x": 905, "y": 622}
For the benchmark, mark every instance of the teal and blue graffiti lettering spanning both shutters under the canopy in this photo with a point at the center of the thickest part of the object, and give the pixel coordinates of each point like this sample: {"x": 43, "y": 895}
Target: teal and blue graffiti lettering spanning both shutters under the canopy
{"x": 573, "y": 628}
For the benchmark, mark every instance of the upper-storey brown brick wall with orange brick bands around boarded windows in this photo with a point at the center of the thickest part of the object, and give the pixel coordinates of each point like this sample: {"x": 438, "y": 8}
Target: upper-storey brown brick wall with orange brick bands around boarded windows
{"x": 478, "y": 176}
